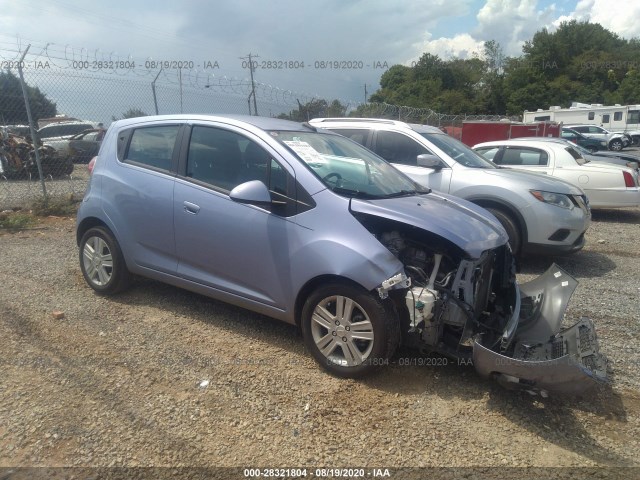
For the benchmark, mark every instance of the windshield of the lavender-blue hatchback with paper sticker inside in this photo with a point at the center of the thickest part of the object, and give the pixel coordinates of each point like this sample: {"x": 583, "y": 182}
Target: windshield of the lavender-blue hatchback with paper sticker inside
{"x": 346, "y": 167}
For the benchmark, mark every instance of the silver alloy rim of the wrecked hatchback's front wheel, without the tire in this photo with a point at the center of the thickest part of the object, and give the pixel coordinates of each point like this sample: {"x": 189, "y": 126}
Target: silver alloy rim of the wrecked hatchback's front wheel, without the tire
{"x": 342, "y": 331}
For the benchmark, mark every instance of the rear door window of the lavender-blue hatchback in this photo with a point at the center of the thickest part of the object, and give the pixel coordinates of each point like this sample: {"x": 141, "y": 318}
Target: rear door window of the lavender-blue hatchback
{"x": 153, "y": 146}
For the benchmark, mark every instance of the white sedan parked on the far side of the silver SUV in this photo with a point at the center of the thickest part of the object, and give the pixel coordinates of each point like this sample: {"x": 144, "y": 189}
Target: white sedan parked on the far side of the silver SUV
{"x": 606, "y": 186}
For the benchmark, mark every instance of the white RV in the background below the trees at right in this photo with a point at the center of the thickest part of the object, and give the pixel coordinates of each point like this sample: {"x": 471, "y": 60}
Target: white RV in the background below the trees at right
{"x": 615, "y": 118}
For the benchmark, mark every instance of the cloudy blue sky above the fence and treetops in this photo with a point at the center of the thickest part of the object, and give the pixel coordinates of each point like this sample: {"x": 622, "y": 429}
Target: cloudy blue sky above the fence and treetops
{"x": 361, "y": 34}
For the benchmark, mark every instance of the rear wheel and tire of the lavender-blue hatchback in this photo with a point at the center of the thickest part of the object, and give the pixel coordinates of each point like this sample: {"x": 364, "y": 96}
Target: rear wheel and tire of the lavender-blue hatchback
{"x": 102, "y": 262}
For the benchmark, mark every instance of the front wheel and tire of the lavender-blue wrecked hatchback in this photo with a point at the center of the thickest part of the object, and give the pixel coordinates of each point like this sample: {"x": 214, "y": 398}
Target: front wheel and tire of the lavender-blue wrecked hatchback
{"x": 350, "y": 332}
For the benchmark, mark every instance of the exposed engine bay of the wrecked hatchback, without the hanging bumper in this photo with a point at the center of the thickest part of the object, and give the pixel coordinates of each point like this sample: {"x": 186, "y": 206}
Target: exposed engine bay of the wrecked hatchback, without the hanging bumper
{"x": 451, "y": 300}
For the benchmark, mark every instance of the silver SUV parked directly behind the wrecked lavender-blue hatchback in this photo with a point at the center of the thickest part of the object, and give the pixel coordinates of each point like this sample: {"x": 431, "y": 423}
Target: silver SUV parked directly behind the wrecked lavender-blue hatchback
{"x": 542, "y": 215}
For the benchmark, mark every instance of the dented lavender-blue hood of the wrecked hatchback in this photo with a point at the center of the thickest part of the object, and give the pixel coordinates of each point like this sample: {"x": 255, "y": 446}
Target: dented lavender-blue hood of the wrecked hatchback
{"x": 468, "y": 226}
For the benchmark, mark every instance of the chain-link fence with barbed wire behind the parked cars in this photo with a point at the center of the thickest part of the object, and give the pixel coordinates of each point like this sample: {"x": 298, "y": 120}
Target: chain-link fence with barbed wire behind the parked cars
{"x": 44, "y": 151}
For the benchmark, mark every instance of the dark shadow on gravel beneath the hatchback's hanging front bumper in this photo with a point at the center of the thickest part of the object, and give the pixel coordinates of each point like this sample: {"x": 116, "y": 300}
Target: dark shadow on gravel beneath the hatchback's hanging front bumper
{"x": 556, "y": 419}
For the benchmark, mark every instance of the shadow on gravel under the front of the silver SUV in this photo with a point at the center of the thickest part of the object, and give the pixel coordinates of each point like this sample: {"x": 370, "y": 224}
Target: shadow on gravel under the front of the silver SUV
{"x": 583, "y": 264}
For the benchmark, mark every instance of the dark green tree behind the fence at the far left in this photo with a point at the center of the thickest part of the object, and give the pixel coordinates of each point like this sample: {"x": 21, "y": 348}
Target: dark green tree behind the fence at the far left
{"x": 12, "y": 107}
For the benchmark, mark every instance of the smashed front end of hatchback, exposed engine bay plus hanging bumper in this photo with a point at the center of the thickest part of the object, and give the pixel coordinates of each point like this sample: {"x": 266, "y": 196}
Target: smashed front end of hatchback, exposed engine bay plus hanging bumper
{"x": 473, "y": 309}
